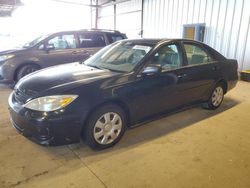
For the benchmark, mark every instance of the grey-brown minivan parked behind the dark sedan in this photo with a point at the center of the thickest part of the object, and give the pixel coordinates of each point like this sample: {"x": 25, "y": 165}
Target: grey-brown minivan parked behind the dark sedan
{"x": 54, "y": 49}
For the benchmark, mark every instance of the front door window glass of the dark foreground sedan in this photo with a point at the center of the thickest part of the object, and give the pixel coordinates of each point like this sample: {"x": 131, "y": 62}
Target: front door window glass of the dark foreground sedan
{"x": 168, "y": 56}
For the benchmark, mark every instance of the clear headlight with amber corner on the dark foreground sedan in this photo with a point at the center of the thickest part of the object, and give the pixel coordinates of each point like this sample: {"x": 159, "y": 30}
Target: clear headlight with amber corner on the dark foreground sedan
{"x": 50, "y": 103}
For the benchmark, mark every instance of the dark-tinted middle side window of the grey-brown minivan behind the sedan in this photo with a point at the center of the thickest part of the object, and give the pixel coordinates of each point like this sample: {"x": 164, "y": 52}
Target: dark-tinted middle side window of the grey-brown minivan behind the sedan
{"x": 91, "y": 40}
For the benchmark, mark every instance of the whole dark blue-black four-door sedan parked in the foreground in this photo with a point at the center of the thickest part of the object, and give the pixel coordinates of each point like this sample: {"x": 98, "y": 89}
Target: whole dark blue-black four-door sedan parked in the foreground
{"x": 121, "y": 86}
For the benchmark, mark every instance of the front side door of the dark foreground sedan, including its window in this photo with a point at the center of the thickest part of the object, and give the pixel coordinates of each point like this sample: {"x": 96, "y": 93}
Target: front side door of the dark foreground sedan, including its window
{"x": 162, "y": 91}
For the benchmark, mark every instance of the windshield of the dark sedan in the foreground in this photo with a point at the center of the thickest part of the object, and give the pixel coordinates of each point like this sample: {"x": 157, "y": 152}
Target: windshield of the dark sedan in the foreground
{"x": 120, "y": 56}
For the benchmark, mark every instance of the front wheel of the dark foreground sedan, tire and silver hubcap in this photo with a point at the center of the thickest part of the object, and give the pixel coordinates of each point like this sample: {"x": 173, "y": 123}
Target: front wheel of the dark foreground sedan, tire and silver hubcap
{"x": 94, "y": 135}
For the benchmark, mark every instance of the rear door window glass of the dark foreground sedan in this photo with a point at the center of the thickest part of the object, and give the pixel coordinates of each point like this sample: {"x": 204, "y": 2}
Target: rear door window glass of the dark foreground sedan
{"x": 196, "y": 55}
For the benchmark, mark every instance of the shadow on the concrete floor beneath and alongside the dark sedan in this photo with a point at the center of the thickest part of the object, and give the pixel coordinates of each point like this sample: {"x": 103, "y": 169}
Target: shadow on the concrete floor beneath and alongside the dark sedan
{"x": 147, "y": 132}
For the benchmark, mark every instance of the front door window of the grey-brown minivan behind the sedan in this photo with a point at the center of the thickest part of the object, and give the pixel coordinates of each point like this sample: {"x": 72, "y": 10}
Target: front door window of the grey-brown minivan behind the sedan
{"x": 63, "y": 42}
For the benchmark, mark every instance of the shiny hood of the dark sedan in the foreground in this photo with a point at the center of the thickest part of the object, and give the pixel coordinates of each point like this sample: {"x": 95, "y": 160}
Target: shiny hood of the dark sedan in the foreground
{"x": 58, "y": 78}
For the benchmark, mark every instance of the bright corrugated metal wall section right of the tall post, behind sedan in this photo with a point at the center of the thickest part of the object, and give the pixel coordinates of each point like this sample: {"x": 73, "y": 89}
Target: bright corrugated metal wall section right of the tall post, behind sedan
{"x": 227, "y": 23}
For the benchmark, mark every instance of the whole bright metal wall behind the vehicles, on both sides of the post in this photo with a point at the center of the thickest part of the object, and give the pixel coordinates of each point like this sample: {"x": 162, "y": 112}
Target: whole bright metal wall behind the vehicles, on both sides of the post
{"x": 227, "y": 22}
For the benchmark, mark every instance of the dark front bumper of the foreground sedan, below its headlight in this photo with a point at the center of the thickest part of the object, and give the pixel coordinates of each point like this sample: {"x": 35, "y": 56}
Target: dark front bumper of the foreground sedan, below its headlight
{"x": 54, "y": 128}
